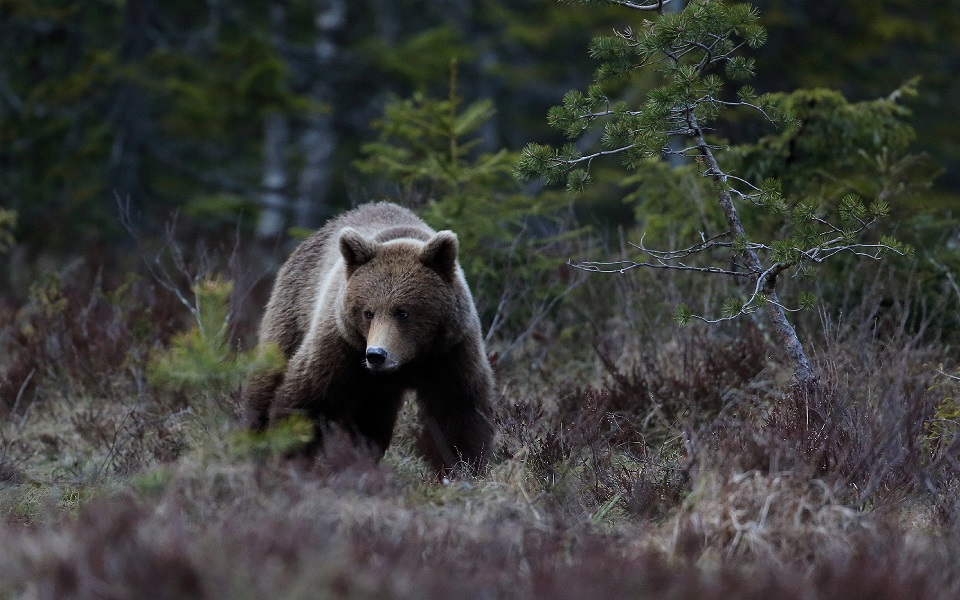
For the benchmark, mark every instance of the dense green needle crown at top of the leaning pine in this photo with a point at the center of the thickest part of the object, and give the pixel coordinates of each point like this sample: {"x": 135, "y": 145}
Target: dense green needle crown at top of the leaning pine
{"x": 686, "y": 48}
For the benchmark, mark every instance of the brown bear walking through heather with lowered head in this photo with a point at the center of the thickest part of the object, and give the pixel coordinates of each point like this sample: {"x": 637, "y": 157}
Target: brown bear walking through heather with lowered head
{"x": 368, "y": 307}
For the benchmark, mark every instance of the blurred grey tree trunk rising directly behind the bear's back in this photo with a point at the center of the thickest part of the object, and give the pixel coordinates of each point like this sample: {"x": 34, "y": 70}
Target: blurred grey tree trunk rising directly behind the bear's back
{"x": 318, "y": 139}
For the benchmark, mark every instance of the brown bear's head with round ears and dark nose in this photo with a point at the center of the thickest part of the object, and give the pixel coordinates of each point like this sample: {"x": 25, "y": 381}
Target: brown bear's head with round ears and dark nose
{"x": 403, "y": 299}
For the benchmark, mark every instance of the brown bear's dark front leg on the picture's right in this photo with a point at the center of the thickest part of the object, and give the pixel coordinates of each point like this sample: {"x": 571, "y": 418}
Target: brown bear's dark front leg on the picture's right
{"x": 455, "y": 391}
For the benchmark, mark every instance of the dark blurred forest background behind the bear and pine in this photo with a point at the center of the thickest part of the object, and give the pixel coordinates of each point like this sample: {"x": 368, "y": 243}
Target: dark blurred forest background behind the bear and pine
{"x": 251, "y": 114}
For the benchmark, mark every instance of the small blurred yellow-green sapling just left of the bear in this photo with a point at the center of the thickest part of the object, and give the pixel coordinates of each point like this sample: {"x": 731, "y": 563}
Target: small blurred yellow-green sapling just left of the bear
{"x": 200, "y": 359}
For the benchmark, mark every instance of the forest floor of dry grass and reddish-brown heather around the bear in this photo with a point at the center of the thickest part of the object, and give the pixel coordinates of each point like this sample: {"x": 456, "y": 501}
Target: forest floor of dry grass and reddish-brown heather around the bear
{"x": 634, "y": 460}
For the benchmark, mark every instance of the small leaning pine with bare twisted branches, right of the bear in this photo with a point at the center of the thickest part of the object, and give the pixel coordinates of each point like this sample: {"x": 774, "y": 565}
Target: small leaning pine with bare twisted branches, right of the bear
{"x": 696, "y": 54}
